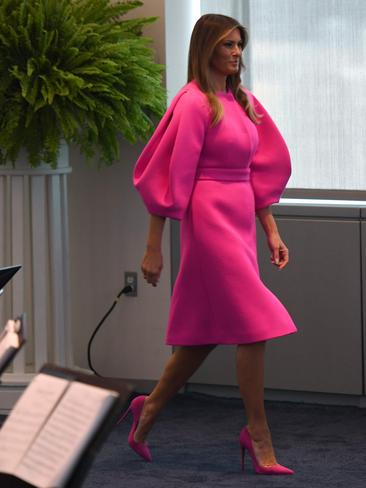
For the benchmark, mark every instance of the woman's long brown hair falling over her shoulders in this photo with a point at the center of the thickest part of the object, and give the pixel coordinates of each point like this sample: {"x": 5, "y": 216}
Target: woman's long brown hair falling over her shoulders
{"x": 209, "y": 30}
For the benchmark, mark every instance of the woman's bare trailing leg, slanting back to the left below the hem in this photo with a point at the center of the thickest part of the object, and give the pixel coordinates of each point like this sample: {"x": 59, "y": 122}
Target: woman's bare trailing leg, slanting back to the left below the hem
{"x": 181, "y": 365}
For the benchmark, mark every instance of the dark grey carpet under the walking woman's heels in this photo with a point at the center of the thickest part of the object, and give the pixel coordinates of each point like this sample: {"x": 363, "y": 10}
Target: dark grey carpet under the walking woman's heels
{"x": 194, "y": 443}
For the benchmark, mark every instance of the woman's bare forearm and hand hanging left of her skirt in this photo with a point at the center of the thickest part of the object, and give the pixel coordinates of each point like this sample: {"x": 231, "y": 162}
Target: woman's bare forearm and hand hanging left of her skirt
{"x": 152, "y": 262}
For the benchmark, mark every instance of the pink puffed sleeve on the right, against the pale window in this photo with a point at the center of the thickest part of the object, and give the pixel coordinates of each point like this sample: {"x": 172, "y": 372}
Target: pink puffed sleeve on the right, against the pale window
{"x": 270, "y": 168}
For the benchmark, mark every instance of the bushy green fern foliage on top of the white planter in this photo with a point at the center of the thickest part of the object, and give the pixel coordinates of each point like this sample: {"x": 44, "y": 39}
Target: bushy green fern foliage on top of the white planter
{"x": 74, "y": 70}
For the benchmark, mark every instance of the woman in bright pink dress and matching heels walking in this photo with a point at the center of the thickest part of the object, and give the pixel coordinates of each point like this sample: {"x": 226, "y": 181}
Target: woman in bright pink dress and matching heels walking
{"x": 215, "y": 163}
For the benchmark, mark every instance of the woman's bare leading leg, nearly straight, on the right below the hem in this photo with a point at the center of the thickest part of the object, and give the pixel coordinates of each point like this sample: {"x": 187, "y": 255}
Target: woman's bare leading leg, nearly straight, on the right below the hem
{"x": 250, "y": 374}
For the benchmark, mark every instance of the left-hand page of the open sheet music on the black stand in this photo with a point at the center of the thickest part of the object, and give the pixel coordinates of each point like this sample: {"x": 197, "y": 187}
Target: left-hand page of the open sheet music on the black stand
{"x": 28, "y": 417}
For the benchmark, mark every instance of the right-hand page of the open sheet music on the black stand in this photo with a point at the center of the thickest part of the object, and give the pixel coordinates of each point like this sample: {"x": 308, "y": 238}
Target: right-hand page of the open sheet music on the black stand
{"x": 59, "y": 446}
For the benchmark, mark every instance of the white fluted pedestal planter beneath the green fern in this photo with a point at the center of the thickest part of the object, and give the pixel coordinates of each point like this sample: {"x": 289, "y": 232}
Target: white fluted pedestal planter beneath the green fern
{"x": 34, "y": 233}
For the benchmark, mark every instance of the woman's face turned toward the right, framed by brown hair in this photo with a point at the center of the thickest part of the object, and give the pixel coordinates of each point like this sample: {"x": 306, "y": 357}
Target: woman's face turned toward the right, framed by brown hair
{"x": 227, "y": 54}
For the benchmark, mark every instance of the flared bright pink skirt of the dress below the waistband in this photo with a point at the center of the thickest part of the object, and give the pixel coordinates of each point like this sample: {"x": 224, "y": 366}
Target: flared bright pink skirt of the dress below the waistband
{"x": 218, "y": 296}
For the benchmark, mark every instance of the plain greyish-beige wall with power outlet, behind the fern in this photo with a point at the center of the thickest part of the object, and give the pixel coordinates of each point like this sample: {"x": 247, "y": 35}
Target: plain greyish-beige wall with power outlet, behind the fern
{"x": 108, "y": 229}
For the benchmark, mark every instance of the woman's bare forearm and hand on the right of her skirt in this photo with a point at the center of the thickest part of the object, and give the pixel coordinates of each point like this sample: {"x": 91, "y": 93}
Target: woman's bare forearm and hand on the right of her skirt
{"x": 279, "y": 252}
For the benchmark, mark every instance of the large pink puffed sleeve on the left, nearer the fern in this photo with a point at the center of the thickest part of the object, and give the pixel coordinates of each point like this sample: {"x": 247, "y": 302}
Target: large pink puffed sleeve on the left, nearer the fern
{"x": 165, "y": 172}
